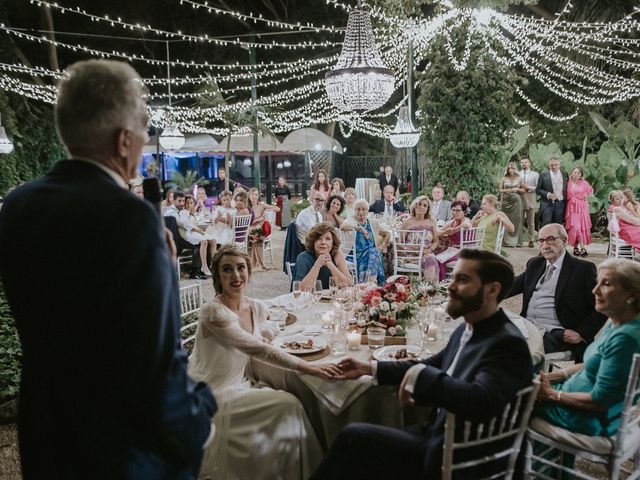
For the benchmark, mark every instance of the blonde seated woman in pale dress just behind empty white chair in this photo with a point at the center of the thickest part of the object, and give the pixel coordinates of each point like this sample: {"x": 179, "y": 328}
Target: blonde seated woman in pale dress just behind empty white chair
{"x": 421, "y": 220}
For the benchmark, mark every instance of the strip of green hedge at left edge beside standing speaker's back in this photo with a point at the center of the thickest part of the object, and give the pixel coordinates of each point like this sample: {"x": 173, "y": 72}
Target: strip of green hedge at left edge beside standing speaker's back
{"x": 10, "y": 356}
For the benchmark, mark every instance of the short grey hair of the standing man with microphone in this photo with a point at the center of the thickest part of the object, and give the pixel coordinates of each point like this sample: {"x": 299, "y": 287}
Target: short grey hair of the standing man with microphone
{"x": 96, "y": 99}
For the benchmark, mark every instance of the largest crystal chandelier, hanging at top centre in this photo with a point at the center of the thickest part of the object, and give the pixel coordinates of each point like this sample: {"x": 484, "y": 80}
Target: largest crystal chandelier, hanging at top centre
{"x": 359, "y": 81}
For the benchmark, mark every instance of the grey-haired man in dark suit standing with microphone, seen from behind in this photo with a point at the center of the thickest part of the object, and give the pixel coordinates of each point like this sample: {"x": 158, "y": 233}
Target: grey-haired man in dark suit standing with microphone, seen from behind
{"x": 104, "y": 392}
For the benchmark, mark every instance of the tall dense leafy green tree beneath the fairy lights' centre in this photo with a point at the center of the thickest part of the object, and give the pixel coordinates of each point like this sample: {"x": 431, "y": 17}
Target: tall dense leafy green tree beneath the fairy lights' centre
{"x": 465, "y": 115}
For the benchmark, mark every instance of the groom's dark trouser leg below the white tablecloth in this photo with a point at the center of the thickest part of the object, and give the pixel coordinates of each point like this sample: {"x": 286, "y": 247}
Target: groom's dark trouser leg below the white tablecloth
{"x": 363, "y": 451}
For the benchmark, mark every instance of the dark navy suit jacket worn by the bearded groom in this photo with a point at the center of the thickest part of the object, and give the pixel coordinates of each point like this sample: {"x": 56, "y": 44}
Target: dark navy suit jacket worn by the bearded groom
{"x": 492, "y": 367}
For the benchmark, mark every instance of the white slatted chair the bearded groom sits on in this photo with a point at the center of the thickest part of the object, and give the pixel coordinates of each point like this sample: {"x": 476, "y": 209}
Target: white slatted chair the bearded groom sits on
{"x": 511, "y": 424}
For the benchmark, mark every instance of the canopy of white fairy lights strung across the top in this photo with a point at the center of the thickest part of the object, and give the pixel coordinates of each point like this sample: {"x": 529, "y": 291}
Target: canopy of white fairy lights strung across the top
{"x": 584, "y": 63}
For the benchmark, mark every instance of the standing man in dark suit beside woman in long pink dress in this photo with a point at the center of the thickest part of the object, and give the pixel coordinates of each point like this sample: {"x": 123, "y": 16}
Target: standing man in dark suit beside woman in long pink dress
{"x": 552, "y": 188}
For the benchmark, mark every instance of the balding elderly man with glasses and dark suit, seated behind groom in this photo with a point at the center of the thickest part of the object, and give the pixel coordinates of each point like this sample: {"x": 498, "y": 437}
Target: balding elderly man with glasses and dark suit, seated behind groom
{"x": 557, "y": 294}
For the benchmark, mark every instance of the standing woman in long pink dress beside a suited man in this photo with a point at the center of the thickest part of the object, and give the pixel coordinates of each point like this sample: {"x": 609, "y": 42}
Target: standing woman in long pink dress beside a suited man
{"x": 576, "y": 218}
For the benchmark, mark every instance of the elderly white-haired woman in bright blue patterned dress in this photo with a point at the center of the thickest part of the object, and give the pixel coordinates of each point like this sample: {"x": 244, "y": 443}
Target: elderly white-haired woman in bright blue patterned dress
{"x": 370, "y": 241}
